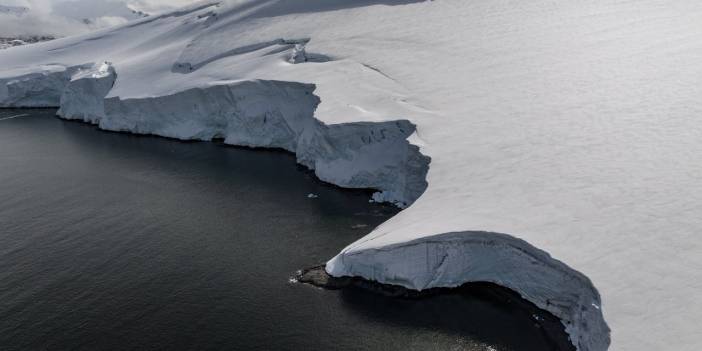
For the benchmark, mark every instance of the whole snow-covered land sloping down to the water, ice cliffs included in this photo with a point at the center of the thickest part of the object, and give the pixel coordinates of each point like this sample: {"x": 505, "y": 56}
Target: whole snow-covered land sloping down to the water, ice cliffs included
{"x": 550, "y": 147}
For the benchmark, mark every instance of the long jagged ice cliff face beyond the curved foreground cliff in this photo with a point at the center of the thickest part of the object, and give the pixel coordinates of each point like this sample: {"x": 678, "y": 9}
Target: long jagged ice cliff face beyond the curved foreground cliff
{"x": 271, "y": 114}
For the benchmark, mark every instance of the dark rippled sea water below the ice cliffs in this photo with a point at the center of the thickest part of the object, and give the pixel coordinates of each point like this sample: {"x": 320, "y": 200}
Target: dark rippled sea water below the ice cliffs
{"x": 117, "y": 242}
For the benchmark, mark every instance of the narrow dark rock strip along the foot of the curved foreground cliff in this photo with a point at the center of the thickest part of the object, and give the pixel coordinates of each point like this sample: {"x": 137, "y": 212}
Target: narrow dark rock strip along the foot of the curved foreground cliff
{"x": 546, "y": 323}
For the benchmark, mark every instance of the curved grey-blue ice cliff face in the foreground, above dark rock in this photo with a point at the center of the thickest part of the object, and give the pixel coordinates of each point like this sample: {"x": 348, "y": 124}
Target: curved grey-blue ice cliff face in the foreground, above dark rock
{"x": 452, "y": 259}
